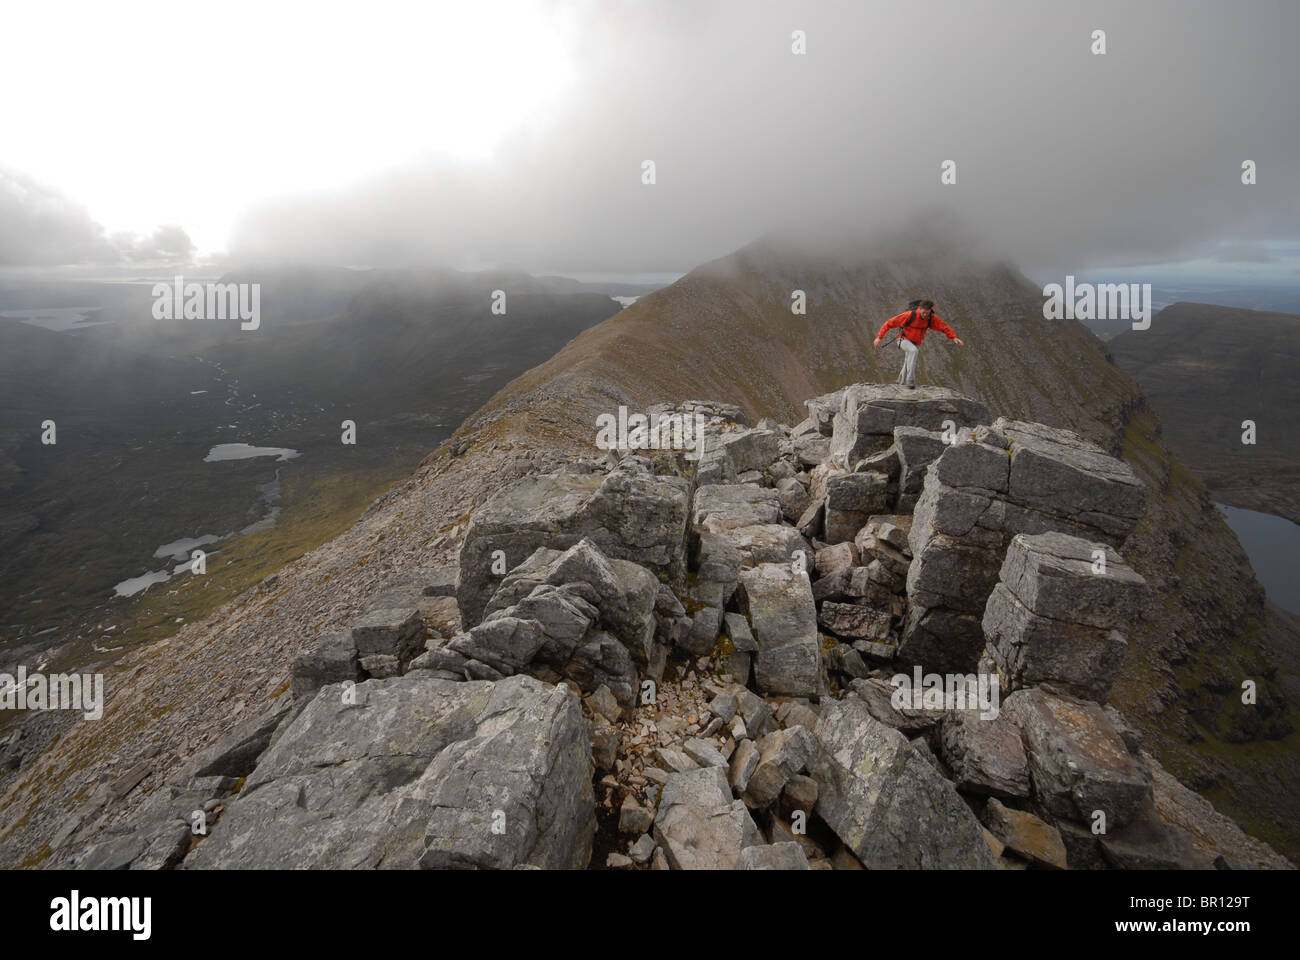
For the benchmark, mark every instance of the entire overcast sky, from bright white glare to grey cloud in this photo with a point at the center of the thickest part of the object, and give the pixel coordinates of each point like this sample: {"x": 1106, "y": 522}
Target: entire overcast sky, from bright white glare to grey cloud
{"x": 514, "y": 133}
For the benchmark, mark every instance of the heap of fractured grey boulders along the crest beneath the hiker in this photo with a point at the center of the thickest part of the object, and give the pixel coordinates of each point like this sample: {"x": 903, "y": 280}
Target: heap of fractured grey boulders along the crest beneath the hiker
{"x": 688, "y": 665}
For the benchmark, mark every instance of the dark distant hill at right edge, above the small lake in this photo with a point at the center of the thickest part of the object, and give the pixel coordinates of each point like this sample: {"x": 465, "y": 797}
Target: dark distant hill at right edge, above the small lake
{"x": 1207, "y": 370}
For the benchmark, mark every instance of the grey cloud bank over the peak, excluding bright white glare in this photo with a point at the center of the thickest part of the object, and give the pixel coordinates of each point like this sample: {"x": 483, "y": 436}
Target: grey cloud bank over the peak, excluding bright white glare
{"x": 1064, "y": 161}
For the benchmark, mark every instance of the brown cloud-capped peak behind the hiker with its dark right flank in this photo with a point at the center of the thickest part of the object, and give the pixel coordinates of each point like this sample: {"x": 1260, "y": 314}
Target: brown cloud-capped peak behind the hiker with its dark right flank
{"x": 726, "y": 332}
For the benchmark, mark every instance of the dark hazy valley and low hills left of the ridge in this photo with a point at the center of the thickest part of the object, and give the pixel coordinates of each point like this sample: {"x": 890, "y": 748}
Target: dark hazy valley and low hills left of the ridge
{"x": 141, "y": 403}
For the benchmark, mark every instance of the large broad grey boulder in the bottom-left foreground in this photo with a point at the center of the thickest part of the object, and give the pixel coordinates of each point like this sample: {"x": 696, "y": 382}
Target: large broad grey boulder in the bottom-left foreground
{"x": 418, "y": 772}
